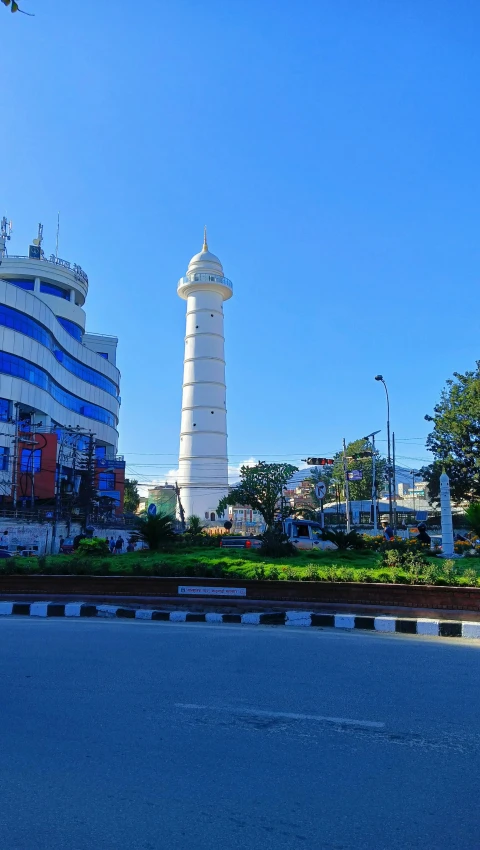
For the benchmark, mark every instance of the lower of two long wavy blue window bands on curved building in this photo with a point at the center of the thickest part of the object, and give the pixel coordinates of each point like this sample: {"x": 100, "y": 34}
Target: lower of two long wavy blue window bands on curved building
{"x": 20, "y": 368}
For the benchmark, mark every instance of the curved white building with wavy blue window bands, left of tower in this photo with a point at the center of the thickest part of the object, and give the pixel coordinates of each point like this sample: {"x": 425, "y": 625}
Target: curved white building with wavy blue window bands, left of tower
{"x": 54, "y": 376}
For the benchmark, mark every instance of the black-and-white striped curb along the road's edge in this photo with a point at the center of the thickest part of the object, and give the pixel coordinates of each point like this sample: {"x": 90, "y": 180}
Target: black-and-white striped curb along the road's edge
{"x": 411, "y": 626}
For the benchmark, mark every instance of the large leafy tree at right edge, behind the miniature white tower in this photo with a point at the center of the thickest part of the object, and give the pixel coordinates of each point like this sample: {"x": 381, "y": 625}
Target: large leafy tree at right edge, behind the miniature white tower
{"x": 455, "y": 439}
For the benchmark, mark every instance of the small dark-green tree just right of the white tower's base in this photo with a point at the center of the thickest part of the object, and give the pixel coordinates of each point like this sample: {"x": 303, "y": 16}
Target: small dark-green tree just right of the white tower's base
{"x": 260, "y": 487}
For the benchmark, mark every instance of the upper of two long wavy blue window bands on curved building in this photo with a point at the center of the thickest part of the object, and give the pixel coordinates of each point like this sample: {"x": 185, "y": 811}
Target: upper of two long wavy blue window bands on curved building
{"x": 18, "y": 321}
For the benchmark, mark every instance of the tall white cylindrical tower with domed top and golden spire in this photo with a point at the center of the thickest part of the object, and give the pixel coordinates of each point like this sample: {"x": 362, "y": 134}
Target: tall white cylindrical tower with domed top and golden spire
{"x": 203, "y": 463}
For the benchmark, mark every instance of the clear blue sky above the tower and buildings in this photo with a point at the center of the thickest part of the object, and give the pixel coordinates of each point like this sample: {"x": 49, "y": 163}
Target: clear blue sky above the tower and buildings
{"x": 333, "y": 150}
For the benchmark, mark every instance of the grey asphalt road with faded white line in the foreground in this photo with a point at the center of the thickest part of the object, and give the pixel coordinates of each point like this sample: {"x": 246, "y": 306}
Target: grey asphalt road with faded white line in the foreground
{"x": 148, "y": 735}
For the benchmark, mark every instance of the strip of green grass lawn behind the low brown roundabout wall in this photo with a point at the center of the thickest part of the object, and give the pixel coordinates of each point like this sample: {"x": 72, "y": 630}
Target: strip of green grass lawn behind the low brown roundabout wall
{"x": 242, "y": 564}
